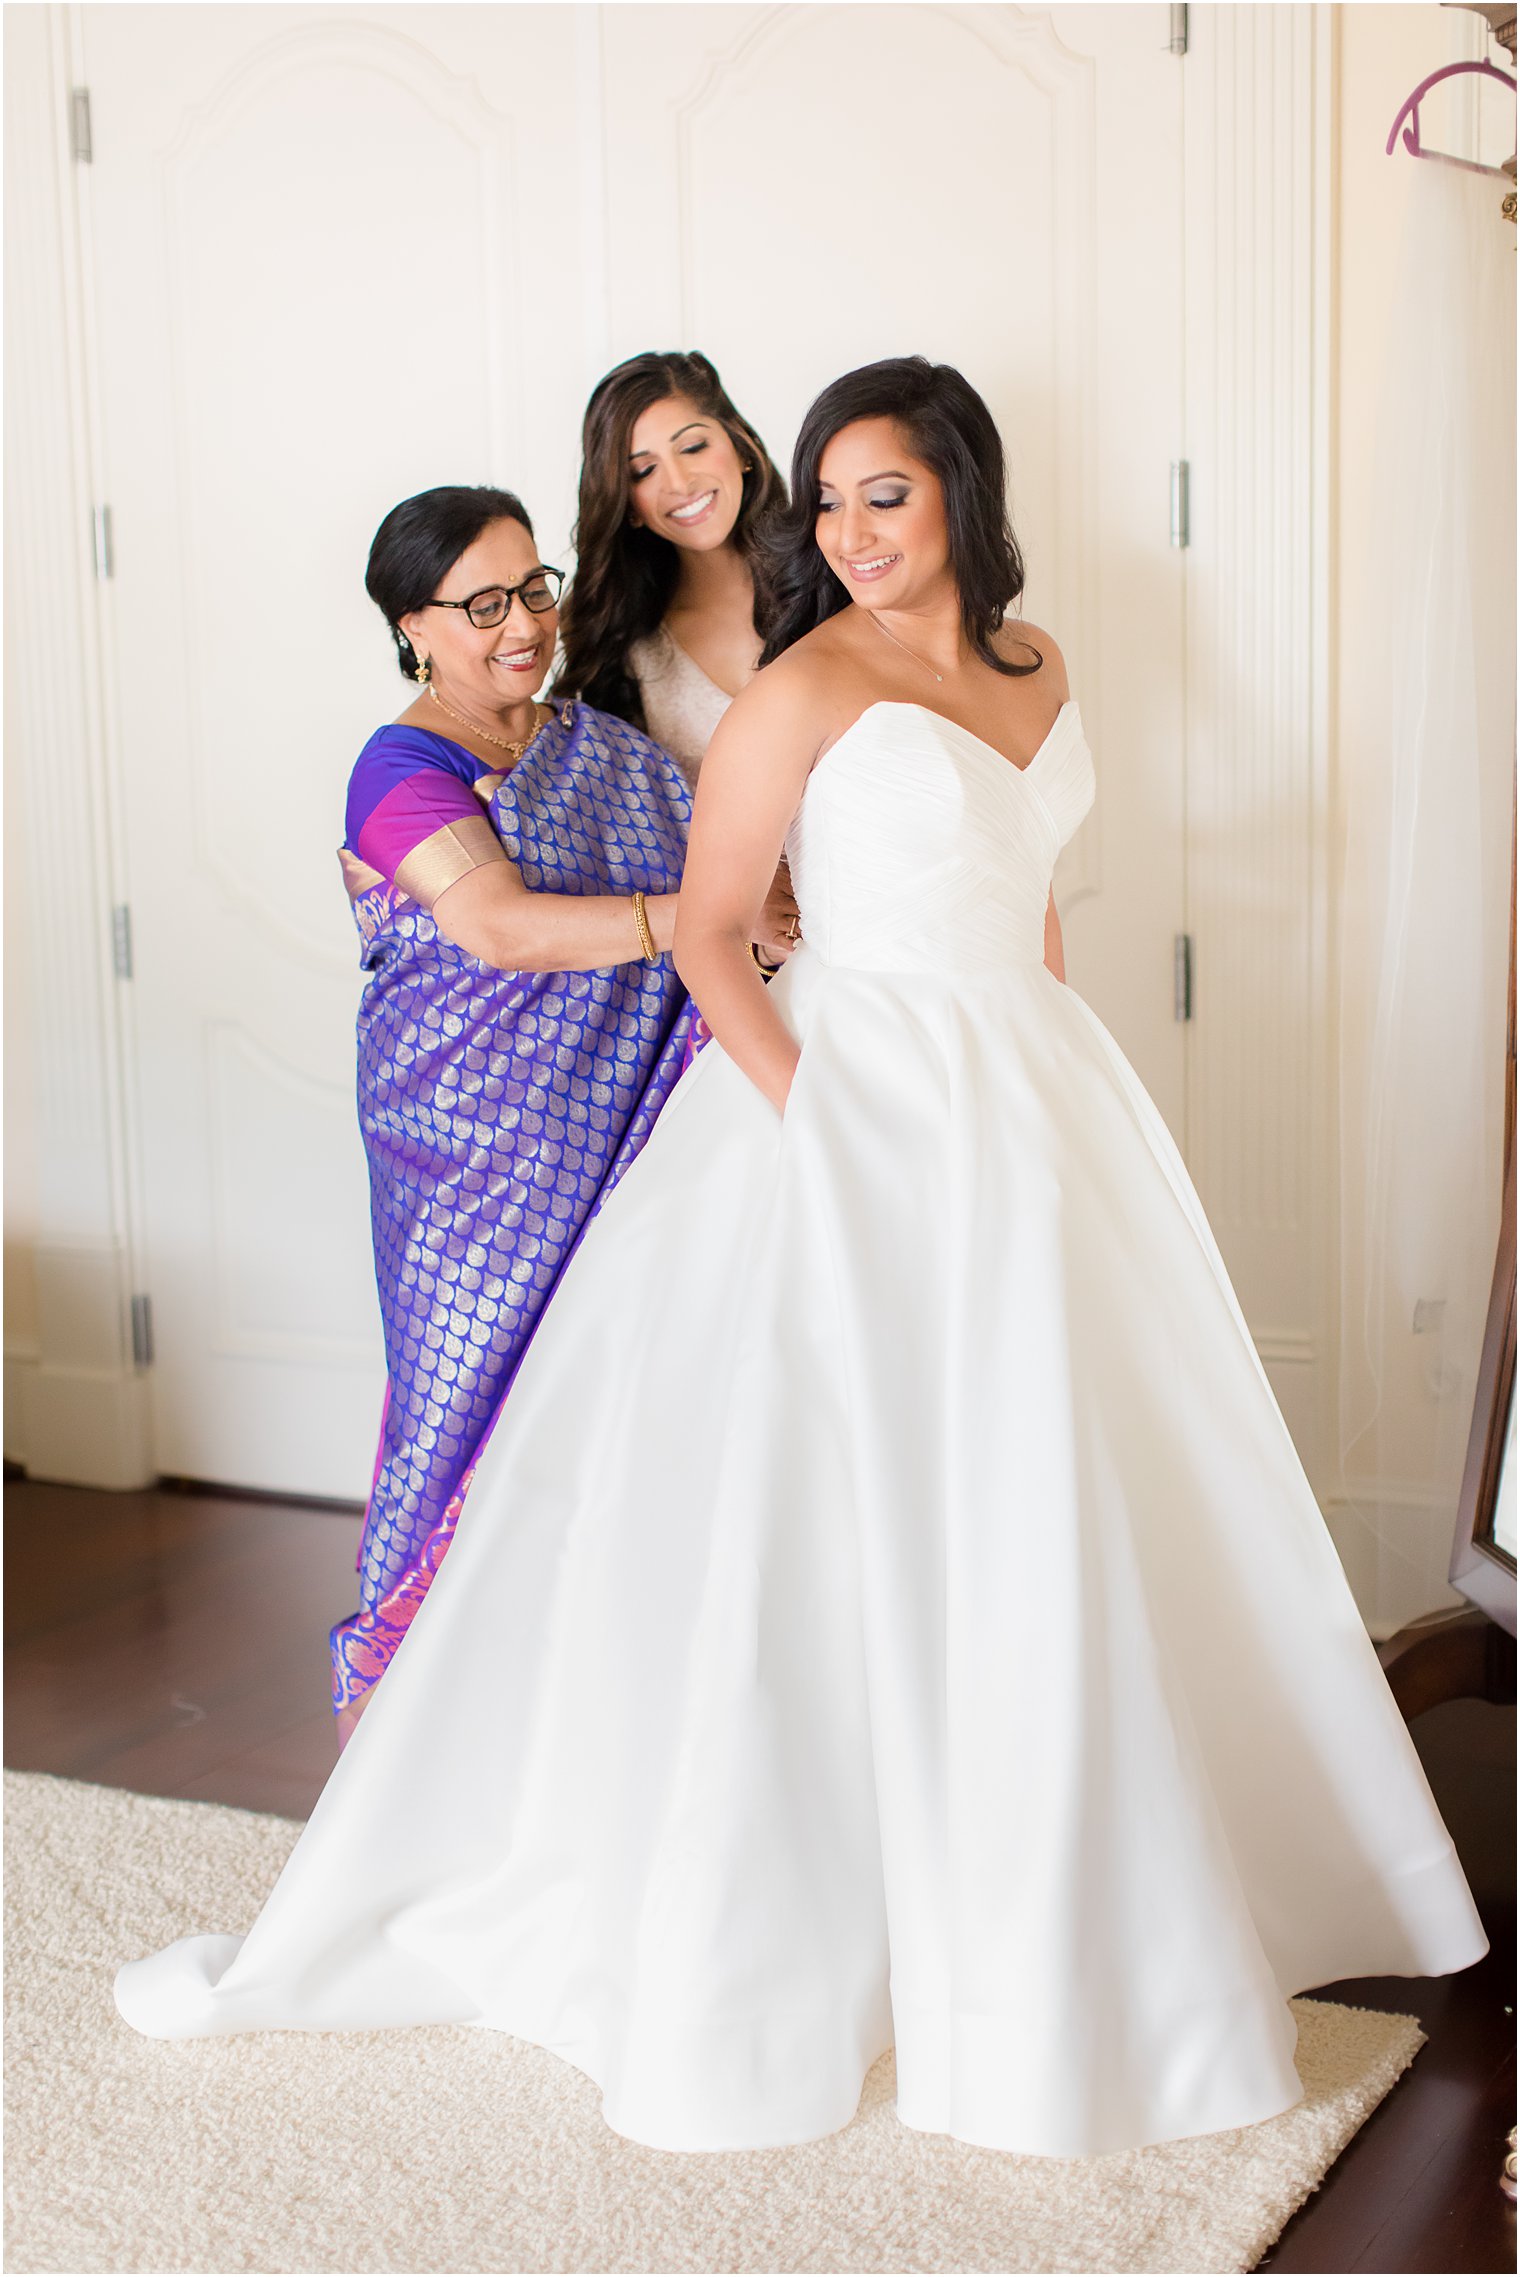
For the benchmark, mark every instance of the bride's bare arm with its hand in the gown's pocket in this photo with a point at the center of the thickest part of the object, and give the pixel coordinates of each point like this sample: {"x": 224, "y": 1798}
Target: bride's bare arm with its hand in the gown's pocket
{"x": 750, "y": 787}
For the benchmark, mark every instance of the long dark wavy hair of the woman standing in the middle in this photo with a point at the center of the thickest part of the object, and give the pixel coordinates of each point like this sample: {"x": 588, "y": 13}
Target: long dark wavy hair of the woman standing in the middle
{"x": 625, "y": 575}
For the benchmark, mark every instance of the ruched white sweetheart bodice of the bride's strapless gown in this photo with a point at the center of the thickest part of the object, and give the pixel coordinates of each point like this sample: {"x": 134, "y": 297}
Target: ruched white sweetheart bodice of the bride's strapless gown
{"x": 918, "y": 848}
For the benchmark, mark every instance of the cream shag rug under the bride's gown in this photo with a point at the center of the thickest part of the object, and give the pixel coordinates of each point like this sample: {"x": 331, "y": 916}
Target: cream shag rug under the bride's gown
{"x": 463, "y": 2151}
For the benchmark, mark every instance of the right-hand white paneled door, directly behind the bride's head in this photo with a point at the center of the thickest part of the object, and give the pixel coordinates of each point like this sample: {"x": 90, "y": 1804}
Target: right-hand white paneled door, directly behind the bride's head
{"x": 811, "y": 188}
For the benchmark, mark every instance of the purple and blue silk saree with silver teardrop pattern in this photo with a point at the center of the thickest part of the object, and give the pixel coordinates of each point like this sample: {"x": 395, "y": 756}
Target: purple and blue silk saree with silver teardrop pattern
{"x": 497, "y": 1108}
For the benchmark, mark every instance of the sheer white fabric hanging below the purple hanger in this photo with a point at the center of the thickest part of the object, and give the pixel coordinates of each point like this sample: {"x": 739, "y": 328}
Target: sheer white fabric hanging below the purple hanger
{"x": 1426, "y": 903}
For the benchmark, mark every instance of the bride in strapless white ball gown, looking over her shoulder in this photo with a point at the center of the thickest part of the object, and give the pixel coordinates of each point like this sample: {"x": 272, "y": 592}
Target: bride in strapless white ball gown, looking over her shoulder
{"x": 891, "y": 1606}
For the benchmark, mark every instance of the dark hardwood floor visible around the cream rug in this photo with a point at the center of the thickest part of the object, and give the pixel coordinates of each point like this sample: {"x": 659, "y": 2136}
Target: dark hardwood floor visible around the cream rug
{"x": 176, "y": 1643}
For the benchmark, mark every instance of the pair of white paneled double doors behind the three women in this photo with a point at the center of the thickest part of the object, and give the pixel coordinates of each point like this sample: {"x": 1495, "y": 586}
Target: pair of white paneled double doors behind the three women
{"x": 345, "y": 254}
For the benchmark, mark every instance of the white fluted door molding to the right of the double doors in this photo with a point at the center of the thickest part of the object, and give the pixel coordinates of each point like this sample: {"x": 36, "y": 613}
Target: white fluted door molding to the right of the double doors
{"x": 1259, "y": 1076}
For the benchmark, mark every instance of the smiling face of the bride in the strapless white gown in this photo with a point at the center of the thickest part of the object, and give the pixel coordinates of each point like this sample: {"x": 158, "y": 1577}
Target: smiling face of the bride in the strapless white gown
{"x": 882, "y": 518}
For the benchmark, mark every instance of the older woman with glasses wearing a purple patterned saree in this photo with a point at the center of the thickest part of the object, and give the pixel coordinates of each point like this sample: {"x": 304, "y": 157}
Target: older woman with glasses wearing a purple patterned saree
{"x": 513, "y": 869}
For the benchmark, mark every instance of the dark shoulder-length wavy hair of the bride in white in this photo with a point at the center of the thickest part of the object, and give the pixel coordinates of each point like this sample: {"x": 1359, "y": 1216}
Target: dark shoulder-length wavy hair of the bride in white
{"x": 955, "y": 434}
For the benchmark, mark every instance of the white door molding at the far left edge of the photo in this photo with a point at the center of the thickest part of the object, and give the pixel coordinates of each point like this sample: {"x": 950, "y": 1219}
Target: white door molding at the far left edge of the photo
{"x": 83, "y": 1401}
